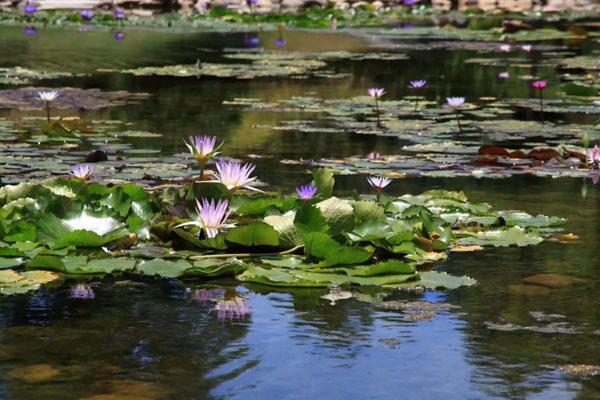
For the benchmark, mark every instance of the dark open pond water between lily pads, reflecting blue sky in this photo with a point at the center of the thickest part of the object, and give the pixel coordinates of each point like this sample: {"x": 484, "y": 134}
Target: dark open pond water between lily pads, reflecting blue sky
{"x": 164, "y": 340}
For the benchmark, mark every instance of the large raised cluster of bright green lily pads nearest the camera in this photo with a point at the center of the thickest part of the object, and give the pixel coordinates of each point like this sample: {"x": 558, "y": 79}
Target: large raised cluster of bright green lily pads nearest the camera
{"x": 73, "y": 228}
